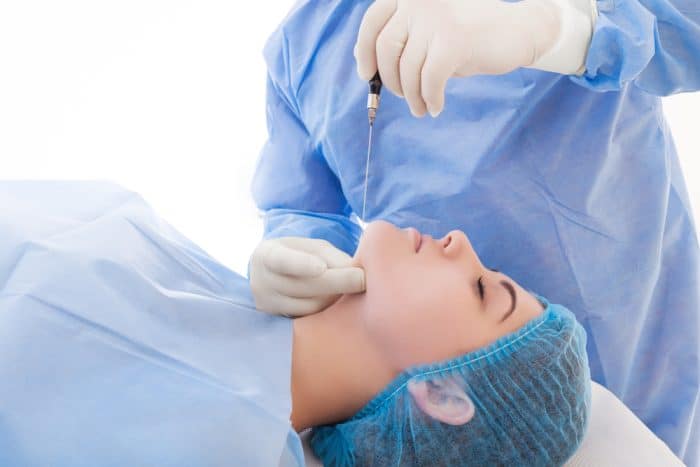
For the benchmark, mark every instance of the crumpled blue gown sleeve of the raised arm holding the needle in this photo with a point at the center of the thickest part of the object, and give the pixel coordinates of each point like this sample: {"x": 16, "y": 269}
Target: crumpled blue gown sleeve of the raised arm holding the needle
{"x": 654, "y": 44}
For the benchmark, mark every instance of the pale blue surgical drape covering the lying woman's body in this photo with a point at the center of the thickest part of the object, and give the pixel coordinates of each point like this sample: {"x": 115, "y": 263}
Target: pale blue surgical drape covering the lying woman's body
{"x": 123, "y": 344}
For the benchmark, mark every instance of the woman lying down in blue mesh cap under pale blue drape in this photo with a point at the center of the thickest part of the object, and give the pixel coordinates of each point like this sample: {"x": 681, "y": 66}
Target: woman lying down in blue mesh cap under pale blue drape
{"x": 122, "y": 343}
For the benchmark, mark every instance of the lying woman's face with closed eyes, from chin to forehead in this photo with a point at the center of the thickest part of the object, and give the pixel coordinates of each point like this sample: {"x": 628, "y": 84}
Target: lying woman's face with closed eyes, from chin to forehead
{"x": 431, "y": 299}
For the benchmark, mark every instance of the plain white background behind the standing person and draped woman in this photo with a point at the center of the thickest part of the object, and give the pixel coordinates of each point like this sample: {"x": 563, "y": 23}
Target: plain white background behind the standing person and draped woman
{"x": 167, "y": 99}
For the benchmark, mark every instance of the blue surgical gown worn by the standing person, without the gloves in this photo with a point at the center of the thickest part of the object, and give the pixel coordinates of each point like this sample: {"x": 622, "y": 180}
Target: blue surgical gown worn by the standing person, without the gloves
{"x": 571, "y": 185}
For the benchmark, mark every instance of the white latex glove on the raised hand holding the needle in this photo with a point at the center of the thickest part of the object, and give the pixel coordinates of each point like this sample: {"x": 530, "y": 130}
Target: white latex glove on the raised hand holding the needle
{"x": 417, "y": 45}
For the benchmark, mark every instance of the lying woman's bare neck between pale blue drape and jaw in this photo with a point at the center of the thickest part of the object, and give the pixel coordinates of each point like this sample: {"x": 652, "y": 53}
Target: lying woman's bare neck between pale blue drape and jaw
{"x": 336, "y": 368}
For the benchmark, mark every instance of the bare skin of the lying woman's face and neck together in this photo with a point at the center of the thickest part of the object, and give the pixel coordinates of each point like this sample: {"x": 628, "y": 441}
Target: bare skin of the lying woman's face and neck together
{"x": 427, "y": 300}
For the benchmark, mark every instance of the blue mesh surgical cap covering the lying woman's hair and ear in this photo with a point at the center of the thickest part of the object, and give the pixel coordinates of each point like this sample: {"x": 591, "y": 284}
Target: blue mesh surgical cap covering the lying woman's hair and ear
{"x": 522, "y": 400}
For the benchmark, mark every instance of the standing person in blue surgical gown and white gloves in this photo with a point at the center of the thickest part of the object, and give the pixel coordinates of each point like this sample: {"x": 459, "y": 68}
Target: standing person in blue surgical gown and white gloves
{"x": 550, "y": 150}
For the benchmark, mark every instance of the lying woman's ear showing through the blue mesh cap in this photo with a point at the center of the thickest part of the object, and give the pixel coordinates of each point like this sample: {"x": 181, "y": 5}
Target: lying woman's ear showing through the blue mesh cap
{"x": 442, "y": 400}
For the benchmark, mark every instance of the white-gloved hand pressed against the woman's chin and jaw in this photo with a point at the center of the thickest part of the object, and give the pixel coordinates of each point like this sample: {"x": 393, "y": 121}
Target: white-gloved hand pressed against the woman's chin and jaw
{"x": 295, "y": 276}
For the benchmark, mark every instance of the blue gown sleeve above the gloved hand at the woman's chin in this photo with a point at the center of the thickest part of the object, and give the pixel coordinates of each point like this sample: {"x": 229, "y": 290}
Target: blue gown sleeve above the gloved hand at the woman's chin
{"x": 293, "y": 183}
